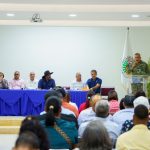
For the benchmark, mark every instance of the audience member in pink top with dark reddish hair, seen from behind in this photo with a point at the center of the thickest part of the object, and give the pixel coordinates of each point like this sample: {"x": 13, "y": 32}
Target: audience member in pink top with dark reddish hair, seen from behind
{"x": 113, "y": 101}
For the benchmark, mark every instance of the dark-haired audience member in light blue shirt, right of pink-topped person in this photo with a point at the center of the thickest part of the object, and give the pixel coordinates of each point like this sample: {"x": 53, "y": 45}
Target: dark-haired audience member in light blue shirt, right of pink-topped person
{"x": 121, "y": 116}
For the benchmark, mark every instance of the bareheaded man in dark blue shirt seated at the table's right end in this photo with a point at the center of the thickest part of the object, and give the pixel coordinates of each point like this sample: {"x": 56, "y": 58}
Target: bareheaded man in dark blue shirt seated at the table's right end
{"x": 94, "y": 83}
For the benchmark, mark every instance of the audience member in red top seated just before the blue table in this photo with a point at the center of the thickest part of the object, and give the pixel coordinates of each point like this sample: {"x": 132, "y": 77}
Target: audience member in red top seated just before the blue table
{"x": 86, "y": 104}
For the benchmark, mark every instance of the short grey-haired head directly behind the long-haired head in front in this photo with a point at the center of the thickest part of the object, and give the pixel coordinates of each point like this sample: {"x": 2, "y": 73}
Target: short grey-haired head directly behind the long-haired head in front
{"x": 102, "y": 108}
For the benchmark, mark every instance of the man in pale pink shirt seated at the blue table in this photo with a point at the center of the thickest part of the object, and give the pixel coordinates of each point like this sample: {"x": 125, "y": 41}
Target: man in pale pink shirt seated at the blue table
{"x": 16, "y": 83}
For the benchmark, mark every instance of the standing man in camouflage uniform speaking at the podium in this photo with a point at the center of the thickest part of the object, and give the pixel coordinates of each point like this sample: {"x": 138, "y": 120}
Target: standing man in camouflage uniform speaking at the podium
{"x": 138, "y": 69}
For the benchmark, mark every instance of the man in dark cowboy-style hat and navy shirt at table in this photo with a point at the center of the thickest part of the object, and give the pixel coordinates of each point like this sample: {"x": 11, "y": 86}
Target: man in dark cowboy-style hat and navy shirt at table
{"x": 46, "y": 82}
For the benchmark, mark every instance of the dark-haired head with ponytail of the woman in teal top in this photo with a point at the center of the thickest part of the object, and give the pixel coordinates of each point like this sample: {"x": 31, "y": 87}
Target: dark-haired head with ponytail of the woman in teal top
{"x": 53, "y": 108}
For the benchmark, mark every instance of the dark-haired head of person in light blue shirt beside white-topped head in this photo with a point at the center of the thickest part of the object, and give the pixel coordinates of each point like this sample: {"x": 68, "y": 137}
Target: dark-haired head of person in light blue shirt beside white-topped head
{"x": 128, "y": 101}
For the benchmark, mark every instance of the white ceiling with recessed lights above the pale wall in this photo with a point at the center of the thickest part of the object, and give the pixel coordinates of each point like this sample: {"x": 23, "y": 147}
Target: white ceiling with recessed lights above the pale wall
{"x": 89, "y": 12}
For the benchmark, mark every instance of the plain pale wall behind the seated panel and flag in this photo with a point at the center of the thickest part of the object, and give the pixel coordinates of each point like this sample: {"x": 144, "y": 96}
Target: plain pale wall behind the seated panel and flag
{"x": 66, "y": 50}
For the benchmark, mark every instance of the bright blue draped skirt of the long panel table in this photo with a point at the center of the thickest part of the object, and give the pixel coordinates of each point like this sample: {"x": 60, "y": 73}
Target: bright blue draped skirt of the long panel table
{"x": 29, "y": 102}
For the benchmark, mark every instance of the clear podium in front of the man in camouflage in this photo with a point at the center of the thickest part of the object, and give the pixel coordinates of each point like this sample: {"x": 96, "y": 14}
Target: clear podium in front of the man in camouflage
{"x": 140, "y": 82}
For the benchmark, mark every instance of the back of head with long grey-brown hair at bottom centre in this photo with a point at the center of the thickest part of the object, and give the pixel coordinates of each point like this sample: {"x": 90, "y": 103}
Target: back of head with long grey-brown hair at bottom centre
{"x": 95, "y": 137}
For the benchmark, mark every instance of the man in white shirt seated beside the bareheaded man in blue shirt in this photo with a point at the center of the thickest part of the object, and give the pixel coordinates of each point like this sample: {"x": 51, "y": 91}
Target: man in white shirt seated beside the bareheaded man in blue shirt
{"x": 78, "y": 84}
